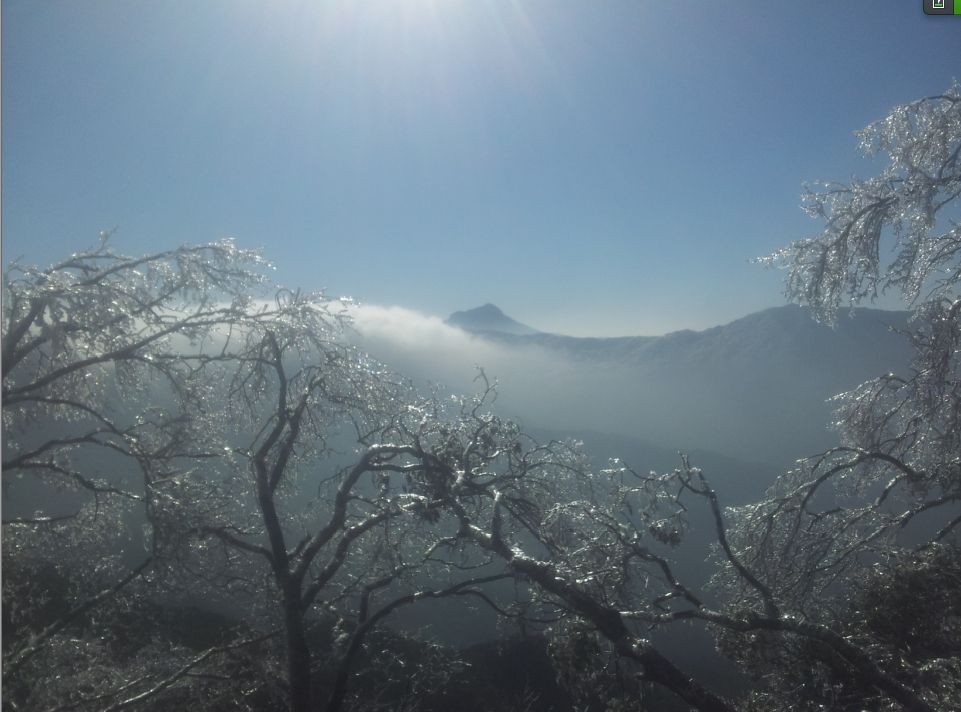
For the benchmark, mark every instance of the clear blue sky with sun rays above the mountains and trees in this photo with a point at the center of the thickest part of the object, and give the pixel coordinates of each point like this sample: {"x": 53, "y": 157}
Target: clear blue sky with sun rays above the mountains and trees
{"x": 594, "y": 168}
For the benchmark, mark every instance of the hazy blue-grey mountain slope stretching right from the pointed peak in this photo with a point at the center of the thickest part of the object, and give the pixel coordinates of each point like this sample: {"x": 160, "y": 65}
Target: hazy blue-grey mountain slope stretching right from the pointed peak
{"x": 758, "y": 388}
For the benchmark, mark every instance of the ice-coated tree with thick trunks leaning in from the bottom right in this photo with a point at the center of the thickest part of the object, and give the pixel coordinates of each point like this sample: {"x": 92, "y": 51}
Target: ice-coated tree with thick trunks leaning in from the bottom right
{"x": 594, "y": 548}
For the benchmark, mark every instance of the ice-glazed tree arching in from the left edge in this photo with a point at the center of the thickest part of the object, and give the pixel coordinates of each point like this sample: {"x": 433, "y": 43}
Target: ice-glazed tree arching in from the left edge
{"x": 98, "y": 429}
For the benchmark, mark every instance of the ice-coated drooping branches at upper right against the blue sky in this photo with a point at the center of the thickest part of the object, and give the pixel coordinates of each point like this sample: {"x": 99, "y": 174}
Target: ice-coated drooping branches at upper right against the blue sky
{"x": 895, "y": 231}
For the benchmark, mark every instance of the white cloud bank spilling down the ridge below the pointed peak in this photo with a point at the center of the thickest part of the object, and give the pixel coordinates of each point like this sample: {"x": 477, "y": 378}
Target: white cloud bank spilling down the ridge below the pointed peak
{"x": 542, "y": 388}
